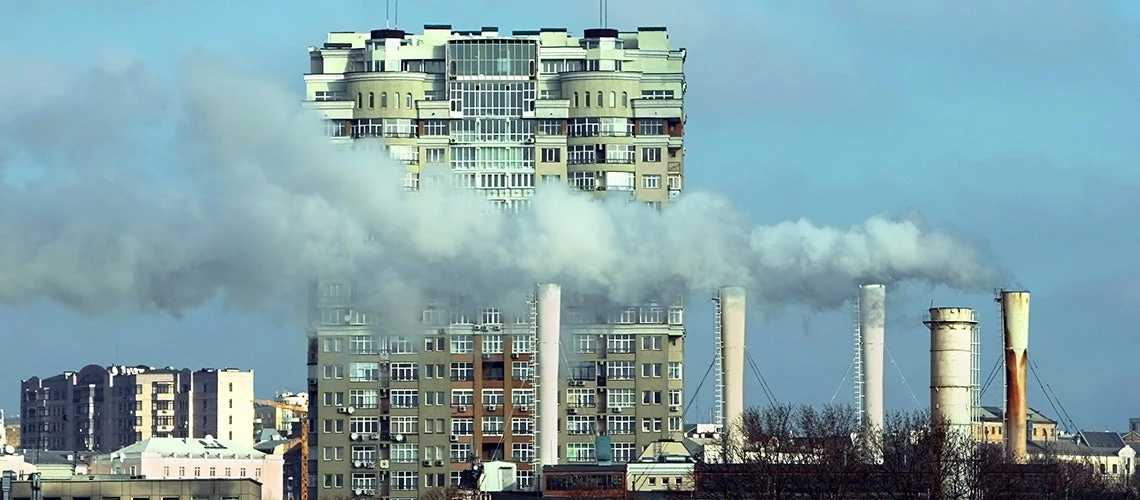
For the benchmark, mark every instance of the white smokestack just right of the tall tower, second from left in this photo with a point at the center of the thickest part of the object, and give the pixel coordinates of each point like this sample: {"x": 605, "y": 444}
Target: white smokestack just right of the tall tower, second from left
{"x": 732, "y": 304}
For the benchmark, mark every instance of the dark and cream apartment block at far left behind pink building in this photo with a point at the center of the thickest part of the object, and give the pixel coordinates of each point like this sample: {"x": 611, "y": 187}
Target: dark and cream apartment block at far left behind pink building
{"x": 107, "y": 408}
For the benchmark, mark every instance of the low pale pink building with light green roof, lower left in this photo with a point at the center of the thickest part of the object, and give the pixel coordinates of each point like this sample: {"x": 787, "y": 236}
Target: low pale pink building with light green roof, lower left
{"x": 177, "y": 458}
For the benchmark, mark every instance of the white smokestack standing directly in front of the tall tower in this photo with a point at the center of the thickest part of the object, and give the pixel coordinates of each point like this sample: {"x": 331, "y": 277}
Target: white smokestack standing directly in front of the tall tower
{"x": 549, "y": 301}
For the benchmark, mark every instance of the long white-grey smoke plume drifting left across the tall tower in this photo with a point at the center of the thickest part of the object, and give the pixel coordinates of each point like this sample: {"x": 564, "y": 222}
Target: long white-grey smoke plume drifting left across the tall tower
{"x": 136, "y": 192}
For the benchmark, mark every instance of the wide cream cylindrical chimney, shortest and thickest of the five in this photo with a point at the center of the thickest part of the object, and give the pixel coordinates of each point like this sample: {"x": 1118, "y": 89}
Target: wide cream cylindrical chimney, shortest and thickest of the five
{"x": 952, "y": 340}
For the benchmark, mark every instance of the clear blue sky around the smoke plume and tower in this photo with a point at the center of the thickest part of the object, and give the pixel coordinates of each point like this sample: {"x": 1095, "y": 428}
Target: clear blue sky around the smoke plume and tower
{"x": 1012, "y": 125}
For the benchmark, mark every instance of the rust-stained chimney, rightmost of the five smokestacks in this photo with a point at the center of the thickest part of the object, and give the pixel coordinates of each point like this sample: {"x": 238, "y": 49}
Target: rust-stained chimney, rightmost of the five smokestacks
{"x": 1015, "y": 314}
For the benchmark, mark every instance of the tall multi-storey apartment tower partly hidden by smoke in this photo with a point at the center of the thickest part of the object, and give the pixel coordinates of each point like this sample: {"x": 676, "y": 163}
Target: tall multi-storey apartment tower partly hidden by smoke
{"x": 400, "y": 412}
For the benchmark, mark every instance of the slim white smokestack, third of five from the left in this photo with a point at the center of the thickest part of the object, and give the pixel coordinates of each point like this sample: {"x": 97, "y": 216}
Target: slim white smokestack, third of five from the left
{"x": 873, "y": 314}
